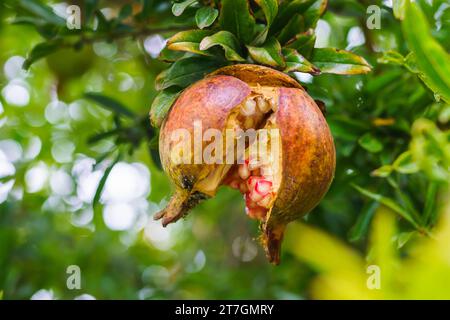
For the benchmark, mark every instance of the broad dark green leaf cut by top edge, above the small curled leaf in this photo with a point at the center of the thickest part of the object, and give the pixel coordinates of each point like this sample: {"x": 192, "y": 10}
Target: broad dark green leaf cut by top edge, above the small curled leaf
{"x": 235, "y": 17}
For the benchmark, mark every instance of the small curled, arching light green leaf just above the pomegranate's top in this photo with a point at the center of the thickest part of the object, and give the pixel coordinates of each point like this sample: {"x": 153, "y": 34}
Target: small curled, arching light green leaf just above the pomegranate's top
{"x": 227, "y": 41}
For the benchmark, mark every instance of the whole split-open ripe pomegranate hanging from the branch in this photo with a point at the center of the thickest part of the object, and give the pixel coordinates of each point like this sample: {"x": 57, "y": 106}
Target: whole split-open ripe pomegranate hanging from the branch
{"x": 277, "y": 188}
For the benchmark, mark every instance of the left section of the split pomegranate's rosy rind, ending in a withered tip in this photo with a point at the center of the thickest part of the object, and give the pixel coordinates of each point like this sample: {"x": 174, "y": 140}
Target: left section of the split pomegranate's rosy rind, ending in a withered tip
{"x": 208, "y": 101}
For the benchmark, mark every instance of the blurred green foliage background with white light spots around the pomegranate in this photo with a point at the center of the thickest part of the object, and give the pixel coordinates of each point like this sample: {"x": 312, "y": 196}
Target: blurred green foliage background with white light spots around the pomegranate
{"x": 80, "y": 113}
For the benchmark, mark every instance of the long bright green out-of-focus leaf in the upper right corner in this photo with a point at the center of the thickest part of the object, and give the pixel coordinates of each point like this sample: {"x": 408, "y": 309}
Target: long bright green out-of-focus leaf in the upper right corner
{"x": 432, "y": 60}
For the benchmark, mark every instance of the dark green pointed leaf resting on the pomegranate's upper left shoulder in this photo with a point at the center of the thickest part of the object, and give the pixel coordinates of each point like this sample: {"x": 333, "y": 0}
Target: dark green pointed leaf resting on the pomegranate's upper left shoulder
{"x": 188, "y": 70}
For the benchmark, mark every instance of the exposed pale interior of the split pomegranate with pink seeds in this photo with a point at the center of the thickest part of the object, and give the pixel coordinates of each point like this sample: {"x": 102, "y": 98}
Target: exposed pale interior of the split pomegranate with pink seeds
{"x": 255, "y": 174}
